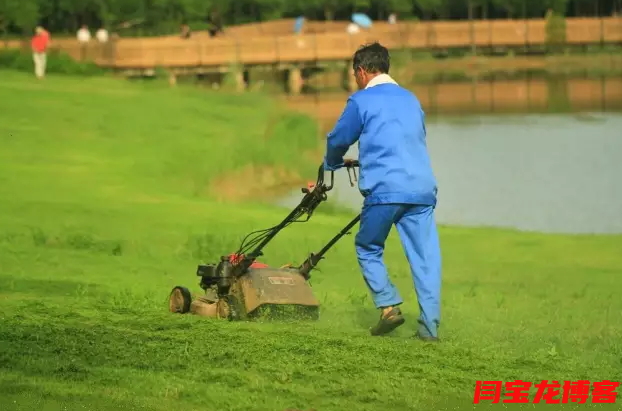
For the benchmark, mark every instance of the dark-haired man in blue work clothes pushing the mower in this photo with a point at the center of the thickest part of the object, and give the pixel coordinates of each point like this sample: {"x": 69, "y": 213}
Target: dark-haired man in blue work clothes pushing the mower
{"x": 398, "y": 186}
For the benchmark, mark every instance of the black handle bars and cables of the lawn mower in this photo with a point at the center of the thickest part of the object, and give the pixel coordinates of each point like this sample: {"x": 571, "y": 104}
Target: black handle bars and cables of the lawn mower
{"x": 314, "y": 195}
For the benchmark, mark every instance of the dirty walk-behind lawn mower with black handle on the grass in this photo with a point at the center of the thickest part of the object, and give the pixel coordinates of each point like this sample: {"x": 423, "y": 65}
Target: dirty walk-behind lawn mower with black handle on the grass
{"x": 239, "y": 287}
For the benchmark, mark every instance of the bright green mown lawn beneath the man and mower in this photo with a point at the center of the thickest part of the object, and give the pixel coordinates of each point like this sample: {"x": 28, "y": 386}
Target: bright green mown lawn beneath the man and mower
{"x": 103, "y": 210}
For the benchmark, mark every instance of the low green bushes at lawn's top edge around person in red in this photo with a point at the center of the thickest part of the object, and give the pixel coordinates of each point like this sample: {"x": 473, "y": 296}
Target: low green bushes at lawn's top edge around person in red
{"x": 57, "y": 63}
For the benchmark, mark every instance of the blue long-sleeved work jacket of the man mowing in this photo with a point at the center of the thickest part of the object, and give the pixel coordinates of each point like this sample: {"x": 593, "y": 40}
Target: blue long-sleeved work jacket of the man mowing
{"x": 389, "y": 125}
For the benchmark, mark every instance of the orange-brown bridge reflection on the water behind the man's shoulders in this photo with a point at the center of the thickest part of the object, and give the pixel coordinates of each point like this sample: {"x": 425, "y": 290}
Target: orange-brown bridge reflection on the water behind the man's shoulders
{"x": 484, "y": 97}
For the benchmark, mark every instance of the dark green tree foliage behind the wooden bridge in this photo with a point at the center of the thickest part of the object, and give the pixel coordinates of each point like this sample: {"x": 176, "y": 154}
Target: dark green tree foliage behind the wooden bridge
{"x": 165, "y": 16}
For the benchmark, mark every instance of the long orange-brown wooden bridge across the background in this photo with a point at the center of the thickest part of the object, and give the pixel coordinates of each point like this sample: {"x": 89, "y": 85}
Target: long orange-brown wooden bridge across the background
{"x": 274, "y": 43}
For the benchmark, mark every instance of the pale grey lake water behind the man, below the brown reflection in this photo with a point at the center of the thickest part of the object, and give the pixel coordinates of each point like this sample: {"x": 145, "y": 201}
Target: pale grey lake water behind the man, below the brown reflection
{"x": 547, "y": 173}
